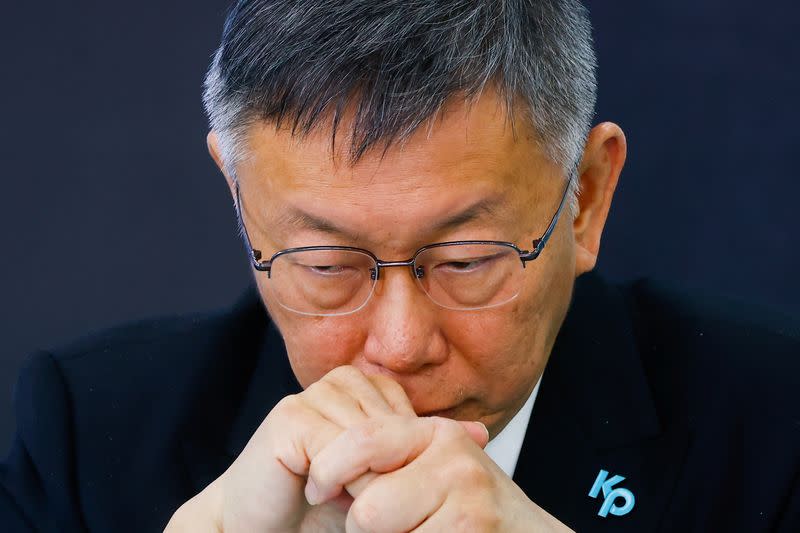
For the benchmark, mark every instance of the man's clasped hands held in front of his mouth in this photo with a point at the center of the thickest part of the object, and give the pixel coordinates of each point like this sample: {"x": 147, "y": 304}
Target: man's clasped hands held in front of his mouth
{"x": 350, "y": 454}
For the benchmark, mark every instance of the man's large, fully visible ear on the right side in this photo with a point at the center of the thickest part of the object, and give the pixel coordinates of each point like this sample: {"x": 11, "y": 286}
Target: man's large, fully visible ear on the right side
{"x": 599, "y": 171}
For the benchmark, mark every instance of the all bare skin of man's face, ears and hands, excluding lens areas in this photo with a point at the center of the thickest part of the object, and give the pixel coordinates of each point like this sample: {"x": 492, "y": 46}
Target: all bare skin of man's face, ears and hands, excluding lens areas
{"x": 374, "y": 377}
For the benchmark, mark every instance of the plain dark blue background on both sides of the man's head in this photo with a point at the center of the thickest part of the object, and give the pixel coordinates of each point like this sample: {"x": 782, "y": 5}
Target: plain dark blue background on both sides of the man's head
{"x": 112, "y": 210}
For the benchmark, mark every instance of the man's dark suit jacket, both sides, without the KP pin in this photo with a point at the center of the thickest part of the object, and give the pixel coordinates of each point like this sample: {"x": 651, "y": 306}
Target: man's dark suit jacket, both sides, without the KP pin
{"x": 693, "y": 401}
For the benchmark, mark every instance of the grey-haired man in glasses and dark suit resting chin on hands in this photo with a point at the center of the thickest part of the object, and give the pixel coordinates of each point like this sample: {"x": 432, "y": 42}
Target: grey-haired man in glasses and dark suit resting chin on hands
{"x": 477, "y": 387}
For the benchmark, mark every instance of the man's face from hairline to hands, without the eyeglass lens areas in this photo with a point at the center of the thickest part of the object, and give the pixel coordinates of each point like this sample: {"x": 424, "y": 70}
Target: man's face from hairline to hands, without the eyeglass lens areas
{"x": 467, "y": 365}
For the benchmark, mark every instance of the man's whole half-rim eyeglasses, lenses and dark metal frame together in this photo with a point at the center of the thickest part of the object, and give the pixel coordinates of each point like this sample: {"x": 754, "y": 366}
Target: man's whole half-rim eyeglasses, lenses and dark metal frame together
{"x": 339, "y": 280}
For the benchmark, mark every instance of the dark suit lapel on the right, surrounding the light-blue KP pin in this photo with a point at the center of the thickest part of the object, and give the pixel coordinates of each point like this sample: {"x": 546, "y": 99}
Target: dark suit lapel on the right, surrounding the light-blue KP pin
{"x": 595, "y": 412}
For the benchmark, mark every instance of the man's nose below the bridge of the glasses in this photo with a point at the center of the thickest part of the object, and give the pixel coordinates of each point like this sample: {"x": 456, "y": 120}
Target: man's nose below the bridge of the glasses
{"x": 403, "y": 334}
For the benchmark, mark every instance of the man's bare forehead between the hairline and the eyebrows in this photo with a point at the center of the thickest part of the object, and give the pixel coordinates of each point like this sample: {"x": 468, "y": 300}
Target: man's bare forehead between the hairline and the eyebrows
{"x": 465, "y": 144}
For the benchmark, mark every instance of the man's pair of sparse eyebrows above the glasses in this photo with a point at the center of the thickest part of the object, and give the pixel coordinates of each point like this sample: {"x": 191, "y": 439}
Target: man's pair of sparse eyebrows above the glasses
{"x": 483, "y": 208}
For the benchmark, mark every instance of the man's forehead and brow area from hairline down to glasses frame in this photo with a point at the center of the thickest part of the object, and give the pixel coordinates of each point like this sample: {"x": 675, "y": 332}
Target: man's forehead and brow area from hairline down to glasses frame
{"x": 468, "y": 155}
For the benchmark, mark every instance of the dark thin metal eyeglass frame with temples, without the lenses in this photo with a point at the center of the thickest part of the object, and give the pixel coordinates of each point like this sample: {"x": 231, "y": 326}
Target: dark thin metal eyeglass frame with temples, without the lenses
{"x": 524, "y": 255}
